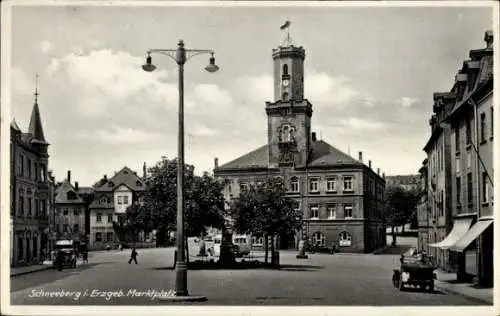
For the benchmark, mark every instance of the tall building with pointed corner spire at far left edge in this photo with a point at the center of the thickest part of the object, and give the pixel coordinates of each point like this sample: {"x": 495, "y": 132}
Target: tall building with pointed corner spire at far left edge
{"x": 29, "y": 187}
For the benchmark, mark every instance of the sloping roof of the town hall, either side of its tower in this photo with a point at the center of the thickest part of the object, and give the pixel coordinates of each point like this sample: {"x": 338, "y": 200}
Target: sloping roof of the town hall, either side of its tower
{"x": 322, "y": 155}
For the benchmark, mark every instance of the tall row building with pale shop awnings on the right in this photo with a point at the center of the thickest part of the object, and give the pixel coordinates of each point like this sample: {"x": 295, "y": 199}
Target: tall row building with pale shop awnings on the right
{"x": 471, "y": 160}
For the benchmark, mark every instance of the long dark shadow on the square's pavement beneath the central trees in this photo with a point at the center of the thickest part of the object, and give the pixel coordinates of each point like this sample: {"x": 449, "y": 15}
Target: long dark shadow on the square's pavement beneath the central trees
{"x": 245, "y": 266}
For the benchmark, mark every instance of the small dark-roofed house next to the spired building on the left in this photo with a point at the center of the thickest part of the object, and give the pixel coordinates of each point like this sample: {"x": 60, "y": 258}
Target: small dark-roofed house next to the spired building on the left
{"x": 69, "y": 212}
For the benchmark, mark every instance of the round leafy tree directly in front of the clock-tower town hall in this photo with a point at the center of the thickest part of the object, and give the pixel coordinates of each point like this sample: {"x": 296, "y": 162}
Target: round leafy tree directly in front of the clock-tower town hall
{"x": 265, "y": 210}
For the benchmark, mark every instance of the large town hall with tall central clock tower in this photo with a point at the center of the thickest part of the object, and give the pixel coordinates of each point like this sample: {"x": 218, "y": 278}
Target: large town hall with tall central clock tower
{"x": 341, "y": 198}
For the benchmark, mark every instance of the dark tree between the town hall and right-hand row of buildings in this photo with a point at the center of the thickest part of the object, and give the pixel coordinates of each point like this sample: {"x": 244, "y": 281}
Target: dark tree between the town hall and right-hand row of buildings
{"x": 399, "y": 207}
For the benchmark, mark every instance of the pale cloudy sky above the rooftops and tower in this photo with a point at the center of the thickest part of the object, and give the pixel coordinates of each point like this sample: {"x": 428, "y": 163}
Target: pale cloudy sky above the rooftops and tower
{"x": 369, "y": 72}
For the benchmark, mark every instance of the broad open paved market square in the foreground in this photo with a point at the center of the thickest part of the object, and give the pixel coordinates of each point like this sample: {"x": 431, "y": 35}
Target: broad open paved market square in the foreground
{"x": 341, "y": 279}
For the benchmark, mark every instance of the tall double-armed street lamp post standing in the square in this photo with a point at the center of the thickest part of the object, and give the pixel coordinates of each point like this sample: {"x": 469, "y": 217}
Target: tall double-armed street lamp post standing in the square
{"x": 180, "y": 56}
